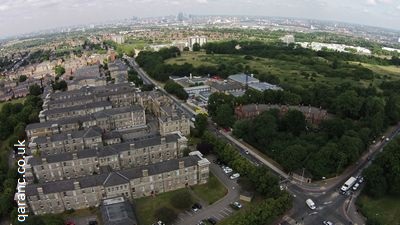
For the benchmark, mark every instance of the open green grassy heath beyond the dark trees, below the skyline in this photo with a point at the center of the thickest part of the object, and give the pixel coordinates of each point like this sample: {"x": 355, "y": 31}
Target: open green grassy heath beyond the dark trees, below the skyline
{"x": 287, "y": 71}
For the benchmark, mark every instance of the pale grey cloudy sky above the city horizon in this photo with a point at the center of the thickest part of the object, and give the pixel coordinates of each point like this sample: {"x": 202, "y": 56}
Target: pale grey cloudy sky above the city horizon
{"x": 24, "y": 16}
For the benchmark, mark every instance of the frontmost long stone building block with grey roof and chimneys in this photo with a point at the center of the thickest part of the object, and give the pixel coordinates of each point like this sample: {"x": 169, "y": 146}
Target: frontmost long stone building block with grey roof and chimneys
{"x": 79, "y": 193}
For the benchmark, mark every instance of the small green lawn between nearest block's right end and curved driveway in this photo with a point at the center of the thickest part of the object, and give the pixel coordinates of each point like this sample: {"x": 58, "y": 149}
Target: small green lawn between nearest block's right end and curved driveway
{"x": 212, "y": 191}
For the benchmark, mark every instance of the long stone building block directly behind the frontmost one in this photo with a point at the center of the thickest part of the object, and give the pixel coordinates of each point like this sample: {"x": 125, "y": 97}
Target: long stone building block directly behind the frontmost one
{"x": 112, "y": 157}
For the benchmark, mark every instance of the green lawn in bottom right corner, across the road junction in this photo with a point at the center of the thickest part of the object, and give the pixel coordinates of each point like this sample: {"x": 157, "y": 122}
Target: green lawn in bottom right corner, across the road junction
{"x": 386, "y": 210}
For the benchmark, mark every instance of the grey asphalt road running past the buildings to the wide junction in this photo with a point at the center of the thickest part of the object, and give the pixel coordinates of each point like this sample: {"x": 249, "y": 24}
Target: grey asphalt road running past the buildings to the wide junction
{"x": 331, "y": 205}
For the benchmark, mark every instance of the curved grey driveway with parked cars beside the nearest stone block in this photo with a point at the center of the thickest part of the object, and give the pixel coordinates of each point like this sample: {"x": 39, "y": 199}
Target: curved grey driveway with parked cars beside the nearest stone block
{"x": 219, "y": 209}
